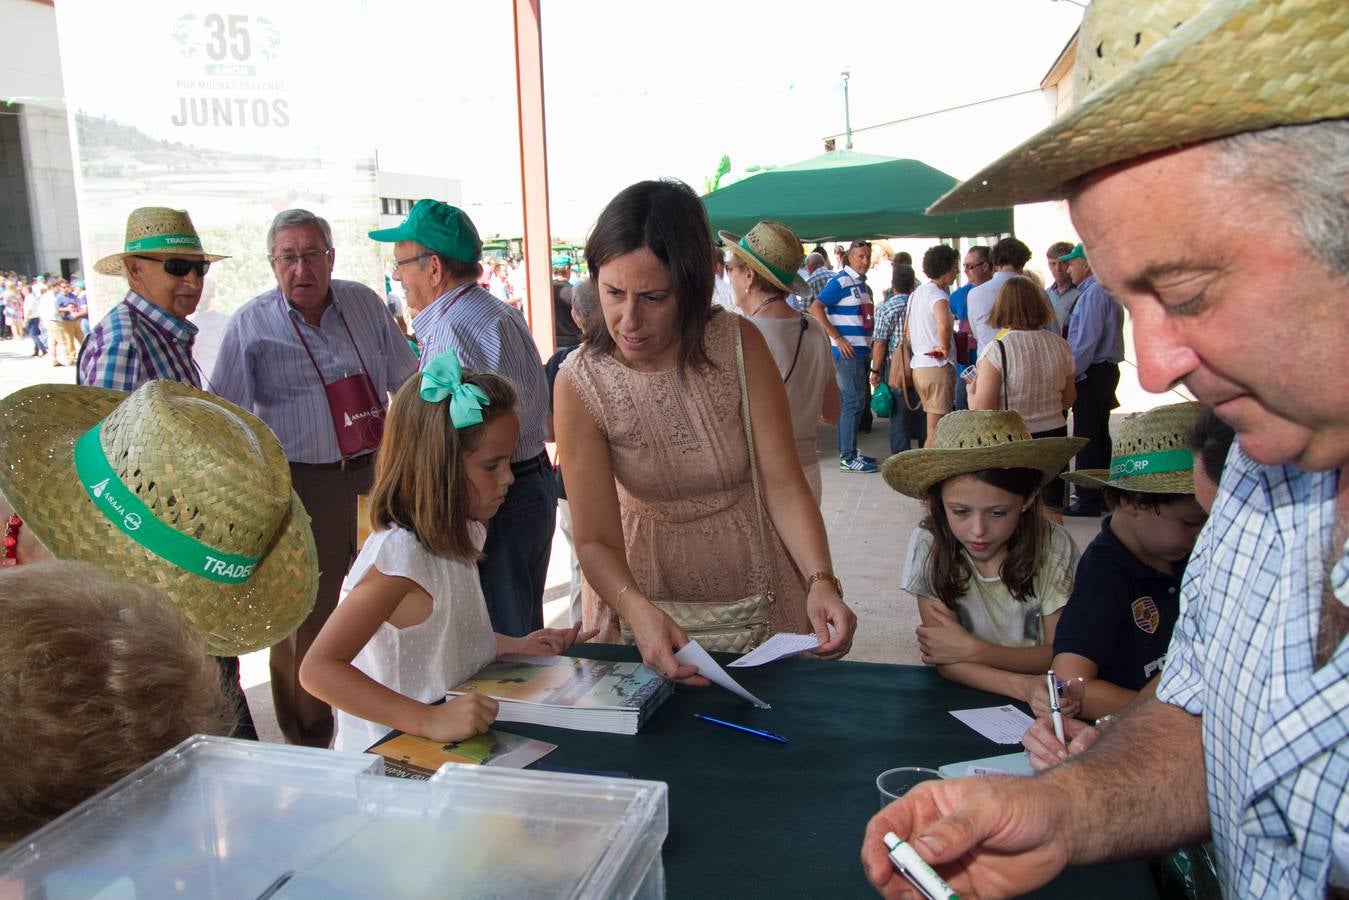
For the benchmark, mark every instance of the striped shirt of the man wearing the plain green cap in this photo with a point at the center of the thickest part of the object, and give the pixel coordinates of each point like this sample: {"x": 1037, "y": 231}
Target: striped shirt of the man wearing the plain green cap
{"x": 490, "y": 337}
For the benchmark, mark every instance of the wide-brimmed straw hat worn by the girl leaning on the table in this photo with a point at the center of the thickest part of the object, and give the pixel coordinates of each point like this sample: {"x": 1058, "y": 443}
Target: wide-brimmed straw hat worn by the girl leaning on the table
{"x": 975, "y": 441}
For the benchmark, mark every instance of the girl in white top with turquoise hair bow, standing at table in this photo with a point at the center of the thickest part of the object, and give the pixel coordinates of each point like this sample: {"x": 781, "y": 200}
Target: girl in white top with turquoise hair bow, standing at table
{"x": 412, "y": 621}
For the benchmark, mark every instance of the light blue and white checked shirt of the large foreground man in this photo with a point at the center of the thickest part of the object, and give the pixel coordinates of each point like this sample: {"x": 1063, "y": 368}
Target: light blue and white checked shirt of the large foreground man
{"x": 1275, "y": 729}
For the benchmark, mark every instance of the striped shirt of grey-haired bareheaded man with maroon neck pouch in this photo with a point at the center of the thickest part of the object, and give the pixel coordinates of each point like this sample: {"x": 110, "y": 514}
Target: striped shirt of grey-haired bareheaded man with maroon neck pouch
{"x": 264, "y": 366}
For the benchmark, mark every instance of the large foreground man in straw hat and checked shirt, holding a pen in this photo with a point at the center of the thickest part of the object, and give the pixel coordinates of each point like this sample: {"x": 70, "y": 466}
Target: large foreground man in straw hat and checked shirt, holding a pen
{"x": 1207, "y": 168}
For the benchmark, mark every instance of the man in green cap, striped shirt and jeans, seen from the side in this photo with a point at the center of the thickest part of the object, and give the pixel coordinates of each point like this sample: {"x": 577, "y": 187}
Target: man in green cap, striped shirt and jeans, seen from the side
{"x": 436, "y": 253}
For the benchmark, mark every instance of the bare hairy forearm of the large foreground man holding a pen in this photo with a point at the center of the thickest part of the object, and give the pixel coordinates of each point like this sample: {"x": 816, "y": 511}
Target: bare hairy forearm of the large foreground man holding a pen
{"x": 1141, "y": 790}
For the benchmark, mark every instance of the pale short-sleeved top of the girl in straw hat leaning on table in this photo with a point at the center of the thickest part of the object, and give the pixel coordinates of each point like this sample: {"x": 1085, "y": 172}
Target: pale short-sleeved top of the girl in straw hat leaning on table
{"x": 988, "y": 611}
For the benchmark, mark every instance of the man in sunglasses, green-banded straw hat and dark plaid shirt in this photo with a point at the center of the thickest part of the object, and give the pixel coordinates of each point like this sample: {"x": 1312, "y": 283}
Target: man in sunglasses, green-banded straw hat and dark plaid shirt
{"x": 148, "y": 335}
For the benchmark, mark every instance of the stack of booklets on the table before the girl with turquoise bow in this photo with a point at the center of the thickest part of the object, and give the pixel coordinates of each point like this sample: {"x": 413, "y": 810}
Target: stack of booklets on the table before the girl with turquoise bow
{"x": 586, "y": 696}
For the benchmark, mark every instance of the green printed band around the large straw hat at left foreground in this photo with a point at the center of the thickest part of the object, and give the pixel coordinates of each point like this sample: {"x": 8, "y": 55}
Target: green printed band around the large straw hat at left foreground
{"x": 121, "y": 507}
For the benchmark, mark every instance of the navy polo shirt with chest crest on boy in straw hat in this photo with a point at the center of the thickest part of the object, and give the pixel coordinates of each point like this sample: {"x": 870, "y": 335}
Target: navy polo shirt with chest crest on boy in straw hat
{"x": 1122, "y": 613}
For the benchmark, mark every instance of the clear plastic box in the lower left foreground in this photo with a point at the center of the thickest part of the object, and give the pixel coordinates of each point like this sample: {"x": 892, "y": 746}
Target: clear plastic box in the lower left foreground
{"x": 223, "y": 818}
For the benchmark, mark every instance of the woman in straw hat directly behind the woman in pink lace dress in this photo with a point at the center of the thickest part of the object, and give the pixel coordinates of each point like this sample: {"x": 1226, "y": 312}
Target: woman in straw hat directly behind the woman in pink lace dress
{"x": 762, "y": 269}
